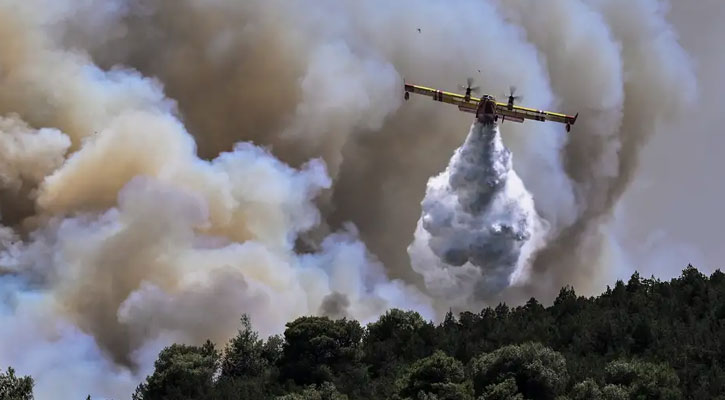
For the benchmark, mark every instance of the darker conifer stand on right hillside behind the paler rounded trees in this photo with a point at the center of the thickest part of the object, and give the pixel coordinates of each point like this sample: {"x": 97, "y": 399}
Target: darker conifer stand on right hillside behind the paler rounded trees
{"x": 680, "y": 323}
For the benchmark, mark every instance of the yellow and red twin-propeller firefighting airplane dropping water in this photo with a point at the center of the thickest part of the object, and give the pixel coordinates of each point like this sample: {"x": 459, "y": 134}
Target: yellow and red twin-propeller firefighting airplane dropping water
{"x": 486, "y": 108}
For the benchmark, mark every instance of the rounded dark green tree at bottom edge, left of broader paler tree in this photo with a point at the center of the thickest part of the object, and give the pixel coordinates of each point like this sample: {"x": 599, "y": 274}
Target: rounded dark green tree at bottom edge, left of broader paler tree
{"x": 439, "y": 375}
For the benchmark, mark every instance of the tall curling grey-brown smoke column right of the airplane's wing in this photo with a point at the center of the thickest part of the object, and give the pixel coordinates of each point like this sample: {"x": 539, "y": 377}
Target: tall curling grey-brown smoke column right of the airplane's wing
{"x": 635, "y": 79}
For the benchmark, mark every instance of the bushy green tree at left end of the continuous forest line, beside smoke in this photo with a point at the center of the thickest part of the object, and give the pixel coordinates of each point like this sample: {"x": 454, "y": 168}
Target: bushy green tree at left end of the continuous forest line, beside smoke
{"x": 181, "y": 373}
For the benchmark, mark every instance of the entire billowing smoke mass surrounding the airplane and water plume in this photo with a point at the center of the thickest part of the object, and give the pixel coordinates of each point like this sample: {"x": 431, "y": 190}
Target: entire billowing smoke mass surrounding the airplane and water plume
{"x": 133, "y": 216}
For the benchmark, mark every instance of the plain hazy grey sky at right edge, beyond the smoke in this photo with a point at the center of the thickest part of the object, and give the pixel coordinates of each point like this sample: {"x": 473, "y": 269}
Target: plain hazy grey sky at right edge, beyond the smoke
{"x": 672, "y": 214}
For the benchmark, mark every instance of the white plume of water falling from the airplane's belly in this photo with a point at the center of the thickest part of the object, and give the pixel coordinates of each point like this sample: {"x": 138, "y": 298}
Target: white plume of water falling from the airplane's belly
{"x": 479, "y": 225}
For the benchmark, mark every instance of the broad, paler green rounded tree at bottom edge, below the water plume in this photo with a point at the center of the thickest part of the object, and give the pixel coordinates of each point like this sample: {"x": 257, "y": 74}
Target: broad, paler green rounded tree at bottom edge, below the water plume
{"x": 539, "y": 372}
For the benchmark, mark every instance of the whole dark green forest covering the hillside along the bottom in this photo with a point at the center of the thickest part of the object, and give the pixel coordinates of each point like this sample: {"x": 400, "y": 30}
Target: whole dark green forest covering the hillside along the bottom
{"x": 643, "y": 339}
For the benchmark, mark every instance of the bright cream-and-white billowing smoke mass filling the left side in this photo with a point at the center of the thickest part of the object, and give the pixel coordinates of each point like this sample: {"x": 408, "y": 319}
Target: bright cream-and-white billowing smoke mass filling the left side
{"x": 127, "y": 241}
